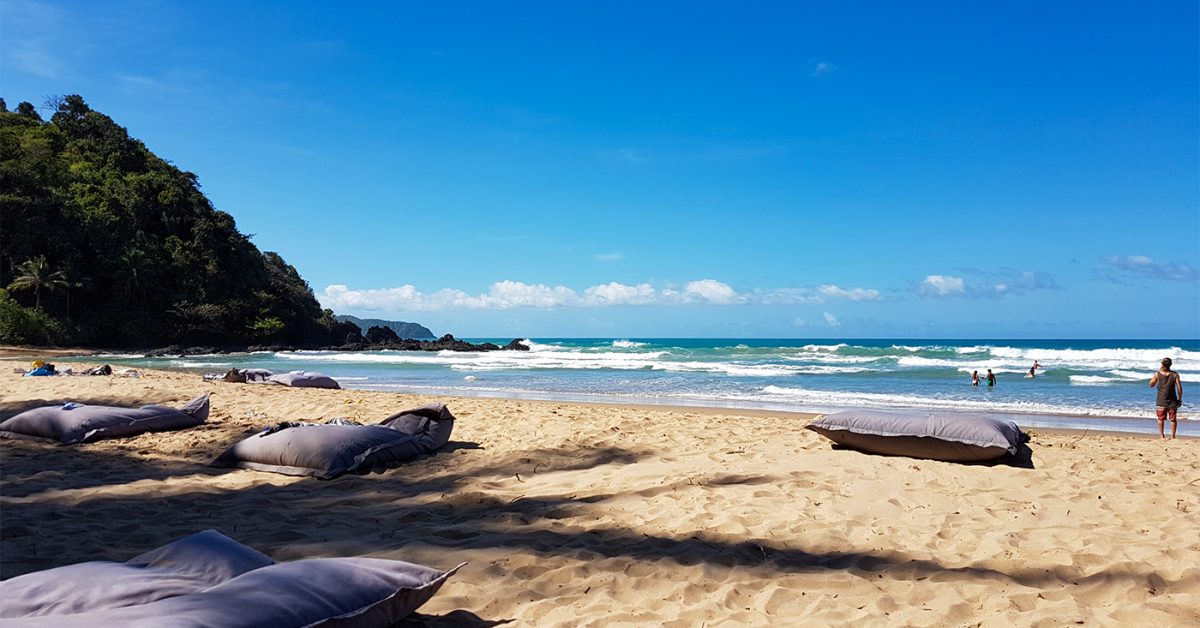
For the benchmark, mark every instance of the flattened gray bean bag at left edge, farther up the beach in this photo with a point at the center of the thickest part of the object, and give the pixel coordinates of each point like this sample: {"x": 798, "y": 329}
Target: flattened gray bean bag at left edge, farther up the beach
{"x": 75, "y": 423}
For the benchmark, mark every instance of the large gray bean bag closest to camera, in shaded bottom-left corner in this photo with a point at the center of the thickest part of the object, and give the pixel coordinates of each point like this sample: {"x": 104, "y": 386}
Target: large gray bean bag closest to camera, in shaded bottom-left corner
{"x": 208, "y": 579}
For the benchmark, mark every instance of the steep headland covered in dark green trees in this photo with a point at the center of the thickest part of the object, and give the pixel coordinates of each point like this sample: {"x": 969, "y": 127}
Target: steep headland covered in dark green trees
{"x": 103, "y": 243}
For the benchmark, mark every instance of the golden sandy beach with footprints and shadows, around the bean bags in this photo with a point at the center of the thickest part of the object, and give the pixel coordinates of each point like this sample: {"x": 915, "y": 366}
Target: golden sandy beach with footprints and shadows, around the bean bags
{"x": 573, "y": 515}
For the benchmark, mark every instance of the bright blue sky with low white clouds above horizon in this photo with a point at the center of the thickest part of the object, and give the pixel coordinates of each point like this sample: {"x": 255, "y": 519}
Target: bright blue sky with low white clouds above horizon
{"x": 631, "y": 170}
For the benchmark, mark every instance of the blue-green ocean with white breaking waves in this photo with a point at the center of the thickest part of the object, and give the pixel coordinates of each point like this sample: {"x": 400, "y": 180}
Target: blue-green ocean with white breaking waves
{"x": 1100, "y": 385}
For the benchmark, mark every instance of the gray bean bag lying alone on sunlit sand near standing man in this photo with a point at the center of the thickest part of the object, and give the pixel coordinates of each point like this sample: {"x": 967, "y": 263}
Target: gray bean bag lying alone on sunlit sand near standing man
{"x": 951, "y": 436}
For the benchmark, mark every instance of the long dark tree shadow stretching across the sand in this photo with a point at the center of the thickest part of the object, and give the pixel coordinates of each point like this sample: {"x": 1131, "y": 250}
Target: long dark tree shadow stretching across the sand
{"x": 427, "y": 509}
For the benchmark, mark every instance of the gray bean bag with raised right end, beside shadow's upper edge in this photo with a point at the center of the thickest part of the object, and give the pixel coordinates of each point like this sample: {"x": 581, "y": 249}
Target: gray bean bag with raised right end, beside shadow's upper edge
{"x": 329, "y": 451}
